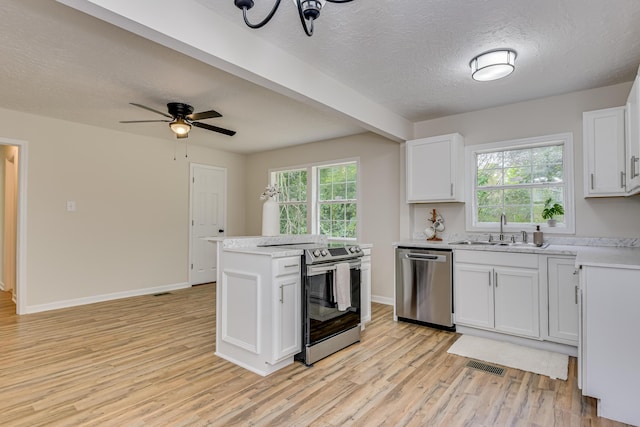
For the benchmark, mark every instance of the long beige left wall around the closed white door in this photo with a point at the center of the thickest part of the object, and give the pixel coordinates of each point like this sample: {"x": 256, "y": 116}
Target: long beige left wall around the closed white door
{"x": 130, "y": 230}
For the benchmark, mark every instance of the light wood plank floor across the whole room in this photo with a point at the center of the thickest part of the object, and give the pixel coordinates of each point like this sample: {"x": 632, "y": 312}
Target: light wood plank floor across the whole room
{"x": 148, "y": 361}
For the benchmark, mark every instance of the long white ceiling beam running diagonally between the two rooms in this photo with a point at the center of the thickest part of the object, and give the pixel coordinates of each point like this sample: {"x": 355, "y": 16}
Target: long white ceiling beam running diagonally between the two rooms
{"x": 196, "y": 31}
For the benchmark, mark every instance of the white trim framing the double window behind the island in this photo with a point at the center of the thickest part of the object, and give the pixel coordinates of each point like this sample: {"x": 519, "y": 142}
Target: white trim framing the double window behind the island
{"x": 312, "y": 188}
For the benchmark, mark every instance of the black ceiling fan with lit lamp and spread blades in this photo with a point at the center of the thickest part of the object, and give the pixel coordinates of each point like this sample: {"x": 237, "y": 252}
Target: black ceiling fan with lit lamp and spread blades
{"x": 182, "y": 118}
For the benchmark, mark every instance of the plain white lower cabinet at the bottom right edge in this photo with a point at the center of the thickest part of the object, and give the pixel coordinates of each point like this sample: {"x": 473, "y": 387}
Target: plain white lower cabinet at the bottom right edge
{"x": 610, "y": 342}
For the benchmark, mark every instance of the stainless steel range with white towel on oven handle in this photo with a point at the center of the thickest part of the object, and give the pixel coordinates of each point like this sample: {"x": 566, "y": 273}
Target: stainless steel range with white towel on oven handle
{"x": 330, "y": 299}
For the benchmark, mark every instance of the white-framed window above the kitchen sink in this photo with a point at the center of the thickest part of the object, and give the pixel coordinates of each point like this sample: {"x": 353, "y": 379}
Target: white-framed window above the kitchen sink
{"x": 517, "y": 178}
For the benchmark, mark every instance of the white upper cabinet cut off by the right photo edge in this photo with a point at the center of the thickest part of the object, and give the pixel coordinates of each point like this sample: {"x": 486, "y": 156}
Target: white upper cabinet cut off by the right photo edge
{"x": 633, "y": 139}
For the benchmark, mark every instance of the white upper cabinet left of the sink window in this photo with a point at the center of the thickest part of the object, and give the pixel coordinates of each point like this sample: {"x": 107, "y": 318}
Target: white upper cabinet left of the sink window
{"x": 435, "y": 169}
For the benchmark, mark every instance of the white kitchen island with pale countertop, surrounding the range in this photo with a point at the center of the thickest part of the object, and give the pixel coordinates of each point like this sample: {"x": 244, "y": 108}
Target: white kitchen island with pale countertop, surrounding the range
{"x": 259, "y": 299}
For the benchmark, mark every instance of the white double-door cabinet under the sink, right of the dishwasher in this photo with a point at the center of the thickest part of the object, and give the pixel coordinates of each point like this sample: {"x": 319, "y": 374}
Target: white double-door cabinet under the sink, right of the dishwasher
{"x": 497, "y": 291}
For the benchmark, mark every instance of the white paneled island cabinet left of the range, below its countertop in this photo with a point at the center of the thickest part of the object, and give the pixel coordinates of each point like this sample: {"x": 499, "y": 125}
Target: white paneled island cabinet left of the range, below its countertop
{"x": 258, "y": 310}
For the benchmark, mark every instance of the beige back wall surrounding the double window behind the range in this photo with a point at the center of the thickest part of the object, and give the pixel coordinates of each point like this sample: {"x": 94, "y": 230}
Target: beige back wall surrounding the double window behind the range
{"x": 379, "y": 175}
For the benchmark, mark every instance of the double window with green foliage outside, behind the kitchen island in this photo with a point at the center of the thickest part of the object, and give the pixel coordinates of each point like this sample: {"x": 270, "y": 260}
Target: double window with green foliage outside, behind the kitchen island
{"x": 331, "y": 210}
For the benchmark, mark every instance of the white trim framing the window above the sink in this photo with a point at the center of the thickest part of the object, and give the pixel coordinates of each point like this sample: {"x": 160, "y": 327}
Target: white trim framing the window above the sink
{"x": 470, "y": 206}
